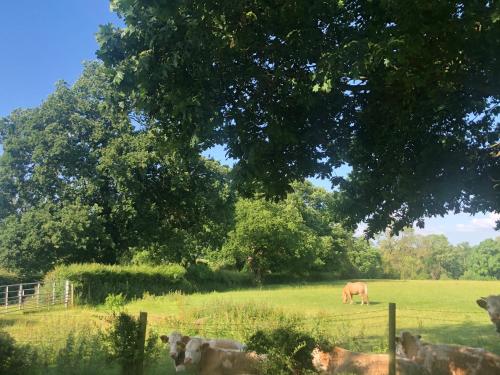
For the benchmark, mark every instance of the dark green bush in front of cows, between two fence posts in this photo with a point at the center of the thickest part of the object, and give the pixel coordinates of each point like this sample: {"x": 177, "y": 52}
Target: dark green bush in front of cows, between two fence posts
{"x": 288, "y": 350}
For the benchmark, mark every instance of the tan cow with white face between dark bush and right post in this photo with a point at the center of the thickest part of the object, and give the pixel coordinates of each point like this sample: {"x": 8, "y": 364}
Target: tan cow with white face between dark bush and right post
{"x": 342, "y": 361}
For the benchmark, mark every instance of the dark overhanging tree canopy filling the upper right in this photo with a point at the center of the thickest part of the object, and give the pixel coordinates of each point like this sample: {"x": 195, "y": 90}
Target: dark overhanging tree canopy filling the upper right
{"x": 405, "y": 92}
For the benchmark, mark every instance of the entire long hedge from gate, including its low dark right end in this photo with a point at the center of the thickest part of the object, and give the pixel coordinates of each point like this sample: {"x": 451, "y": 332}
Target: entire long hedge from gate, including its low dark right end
{"x": 94, "y": 282}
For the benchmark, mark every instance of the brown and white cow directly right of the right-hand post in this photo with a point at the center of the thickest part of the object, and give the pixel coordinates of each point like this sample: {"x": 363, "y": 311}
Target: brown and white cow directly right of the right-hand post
{"x": 448, "y": 359}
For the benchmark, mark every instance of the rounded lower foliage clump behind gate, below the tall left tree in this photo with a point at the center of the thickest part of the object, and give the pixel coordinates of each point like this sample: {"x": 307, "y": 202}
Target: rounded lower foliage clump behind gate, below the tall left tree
{"x": 45, "y": 236}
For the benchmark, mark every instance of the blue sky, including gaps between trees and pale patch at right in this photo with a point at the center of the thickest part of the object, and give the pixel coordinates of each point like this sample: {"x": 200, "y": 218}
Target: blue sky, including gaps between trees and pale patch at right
{"x": 45, "y": 41}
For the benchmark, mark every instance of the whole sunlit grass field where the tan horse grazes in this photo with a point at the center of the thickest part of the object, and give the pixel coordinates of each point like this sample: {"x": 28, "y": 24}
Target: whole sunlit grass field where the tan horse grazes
{"x": 441, "y": 311}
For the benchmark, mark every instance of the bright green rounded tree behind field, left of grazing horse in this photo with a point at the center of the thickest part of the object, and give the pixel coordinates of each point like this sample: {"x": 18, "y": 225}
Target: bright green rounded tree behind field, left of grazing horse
{"x": 296, "y": 236}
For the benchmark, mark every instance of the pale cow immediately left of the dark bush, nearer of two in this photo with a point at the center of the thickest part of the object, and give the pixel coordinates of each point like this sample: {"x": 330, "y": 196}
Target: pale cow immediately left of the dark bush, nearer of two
{"x": 209, "y": 360}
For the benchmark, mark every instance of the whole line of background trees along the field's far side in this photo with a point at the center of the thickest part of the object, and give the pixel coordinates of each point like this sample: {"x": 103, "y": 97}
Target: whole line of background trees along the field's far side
{"x": 86, "y": 179}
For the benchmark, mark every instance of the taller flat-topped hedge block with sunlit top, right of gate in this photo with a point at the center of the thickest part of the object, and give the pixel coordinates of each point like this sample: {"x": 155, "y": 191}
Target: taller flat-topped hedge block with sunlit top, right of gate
{"x": 94, "y": 282}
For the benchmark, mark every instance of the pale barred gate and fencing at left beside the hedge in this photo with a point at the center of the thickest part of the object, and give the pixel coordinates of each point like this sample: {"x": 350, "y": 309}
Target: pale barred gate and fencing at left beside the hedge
{"x": 35, "y": 296}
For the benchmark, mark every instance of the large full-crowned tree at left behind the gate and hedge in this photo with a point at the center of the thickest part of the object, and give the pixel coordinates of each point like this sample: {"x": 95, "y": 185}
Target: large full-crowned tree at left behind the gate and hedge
{"x": 84, "y": 180}
